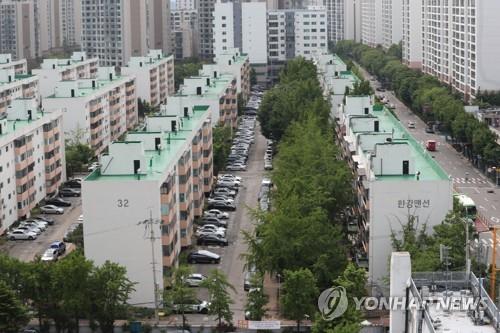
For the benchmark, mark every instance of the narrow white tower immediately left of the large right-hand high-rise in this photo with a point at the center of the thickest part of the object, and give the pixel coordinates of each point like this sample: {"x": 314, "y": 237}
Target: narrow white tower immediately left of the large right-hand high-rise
{"x": 412, "y": 34}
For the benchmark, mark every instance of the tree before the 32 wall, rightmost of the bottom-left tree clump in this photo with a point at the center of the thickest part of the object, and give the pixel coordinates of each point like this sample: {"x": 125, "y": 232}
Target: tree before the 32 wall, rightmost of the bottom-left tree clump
{"x": 109, "y": 293}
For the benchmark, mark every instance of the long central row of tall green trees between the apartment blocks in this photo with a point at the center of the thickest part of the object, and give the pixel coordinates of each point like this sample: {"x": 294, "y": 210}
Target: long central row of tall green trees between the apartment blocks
{"x": 302, "y": 239}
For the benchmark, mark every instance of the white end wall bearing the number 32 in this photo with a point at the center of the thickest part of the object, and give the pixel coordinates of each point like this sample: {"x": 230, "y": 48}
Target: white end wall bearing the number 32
{"x": 119, "y": 206}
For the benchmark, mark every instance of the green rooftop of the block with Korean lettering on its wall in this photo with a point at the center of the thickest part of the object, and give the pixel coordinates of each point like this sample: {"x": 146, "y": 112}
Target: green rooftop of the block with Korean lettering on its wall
{"x": 428, "y": 167}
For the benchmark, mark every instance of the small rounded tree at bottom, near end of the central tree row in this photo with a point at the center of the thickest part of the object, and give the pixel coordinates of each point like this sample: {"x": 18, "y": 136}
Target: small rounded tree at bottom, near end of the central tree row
{"x": 299, "y": 296}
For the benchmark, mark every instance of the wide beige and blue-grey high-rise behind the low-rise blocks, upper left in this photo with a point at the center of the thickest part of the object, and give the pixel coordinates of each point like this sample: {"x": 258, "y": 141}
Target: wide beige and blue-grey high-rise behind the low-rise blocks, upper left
{"x": 114, "y": 30}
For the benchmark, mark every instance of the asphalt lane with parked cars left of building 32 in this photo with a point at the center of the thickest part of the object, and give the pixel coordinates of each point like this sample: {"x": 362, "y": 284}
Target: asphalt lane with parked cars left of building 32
{"x": 27, "y": 250}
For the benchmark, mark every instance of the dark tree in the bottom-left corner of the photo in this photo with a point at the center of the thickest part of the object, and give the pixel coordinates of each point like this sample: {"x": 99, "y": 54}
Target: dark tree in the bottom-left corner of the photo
{"x": 13, "y": 315}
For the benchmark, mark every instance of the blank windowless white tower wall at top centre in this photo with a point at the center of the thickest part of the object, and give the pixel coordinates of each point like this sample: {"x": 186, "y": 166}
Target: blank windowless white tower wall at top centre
{"x": 254, "y": 31}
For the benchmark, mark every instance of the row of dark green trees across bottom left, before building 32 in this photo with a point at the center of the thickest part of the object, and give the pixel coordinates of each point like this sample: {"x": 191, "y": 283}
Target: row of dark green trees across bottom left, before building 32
{"x": 62, "y": 293}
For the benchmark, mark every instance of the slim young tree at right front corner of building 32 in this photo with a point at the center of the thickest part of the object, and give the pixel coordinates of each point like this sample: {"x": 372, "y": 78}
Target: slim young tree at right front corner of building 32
{"x": 180, "y": 293}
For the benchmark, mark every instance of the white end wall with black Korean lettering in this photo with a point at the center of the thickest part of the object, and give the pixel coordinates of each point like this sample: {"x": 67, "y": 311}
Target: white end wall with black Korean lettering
{"x": 389, "y": 201}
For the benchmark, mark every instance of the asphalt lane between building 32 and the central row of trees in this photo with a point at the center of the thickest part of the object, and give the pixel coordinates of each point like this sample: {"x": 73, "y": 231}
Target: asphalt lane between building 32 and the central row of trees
{"x": 232, "y": 264}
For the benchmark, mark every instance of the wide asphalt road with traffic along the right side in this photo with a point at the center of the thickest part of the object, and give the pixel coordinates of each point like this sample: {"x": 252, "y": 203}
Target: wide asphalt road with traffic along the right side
{"x": 466, "y": 179}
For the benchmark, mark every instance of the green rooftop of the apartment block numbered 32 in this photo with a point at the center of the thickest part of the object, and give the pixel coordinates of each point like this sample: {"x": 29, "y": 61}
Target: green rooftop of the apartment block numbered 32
{"x": 158, "y": 163}
